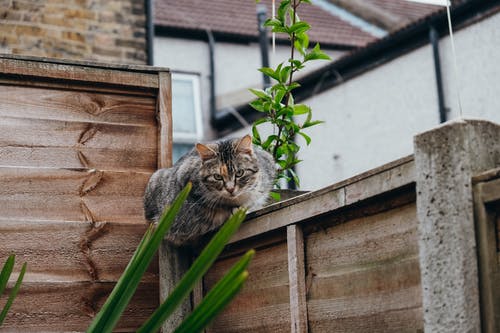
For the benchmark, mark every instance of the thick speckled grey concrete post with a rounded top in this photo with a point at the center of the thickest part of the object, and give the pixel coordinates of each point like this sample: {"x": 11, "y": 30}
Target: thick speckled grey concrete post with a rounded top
{"x": 446, "y": 158}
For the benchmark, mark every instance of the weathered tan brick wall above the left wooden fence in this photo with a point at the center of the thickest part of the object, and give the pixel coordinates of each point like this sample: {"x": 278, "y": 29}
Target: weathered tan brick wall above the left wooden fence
{"x": 102, "y": 30}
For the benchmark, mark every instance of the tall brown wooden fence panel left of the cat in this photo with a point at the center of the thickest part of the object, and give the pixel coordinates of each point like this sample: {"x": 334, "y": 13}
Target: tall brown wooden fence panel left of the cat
{"x": 78, "y": 142}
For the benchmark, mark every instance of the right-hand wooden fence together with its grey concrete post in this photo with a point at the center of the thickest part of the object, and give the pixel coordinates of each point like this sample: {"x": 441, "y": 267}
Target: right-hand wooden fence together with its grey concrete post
{"x": 390, "y": 250}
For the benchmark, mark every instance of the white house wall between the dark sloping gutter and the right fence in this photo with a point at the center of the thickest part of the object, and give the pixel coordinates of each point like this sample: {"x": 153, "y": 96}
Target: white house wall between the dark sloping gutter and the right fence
{"x": 371, "y": 119}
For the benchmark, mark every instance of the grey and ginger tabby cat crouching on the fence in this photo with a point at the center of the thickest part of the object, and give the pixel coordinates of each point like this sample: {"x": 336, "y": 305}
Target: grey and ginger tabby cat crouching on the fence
{"x": 225, "y": 175}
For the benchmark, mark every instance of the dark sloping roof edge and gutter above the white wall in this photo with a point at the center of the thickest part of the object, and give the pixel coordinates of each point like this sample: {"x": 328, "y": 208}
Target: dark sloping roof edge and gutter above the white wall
{"x": 402, "y": 41}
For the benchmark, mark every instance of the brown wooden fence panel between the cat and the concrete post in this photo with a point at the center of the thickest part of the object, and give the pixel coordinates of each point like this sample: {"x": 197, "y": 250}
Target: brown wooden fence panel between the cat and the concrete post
{"x": 342, "y": 259}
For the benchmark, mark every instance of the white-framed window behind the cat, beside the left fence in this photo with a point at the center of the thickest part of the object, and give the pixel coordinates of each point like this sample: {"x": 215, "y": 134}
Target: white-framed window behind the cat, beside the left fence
{"x": 186, "y": 113}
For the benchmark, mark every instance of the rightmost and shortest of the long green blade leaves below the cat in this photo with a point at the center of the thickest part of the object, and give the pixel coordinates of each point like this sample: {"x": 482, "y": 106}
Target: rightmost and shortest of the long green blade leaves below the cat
{"x": 218, "y": 297}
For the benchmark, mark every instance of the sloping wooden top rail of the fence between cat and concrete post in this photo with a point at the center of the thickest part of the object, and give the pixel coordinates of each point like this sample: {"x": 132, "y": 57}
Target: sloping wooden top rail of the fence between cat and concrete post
{"x": 382, "y": 180}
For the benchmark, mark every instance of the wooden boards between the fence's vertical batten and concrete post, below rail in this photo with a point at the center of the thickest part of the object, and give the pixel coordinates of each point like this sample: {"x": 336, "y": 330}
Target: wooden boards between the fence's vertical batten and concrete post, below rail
{"x": 363, "y": 275}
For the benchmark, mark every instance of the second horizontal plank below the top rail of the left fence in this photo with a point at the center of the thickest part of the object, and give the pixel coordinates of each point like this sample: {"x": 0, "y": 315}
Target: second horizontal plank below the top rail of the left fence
{"x": 49, "y": 143}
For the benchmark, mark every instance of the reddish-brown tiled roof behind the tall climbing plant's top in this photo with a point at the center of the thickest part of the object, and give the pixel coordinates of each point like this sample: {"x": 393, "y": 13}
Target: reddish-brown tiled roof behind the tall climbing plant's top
{"x": 237, "y": 18}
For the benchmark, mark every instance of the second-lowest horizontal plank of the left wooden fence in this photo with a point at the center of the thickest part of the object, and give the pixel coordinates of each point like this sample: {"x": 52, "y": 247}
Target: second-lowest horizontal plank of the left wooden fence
{"x": 72, "y": 251}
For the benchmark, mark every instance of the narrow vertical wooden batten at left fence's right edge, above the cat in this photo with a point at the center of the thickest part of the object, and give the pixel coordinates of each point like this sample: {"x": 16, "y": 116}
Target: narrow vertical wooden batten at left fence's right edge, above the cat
{"x": 164, "y": 115}
